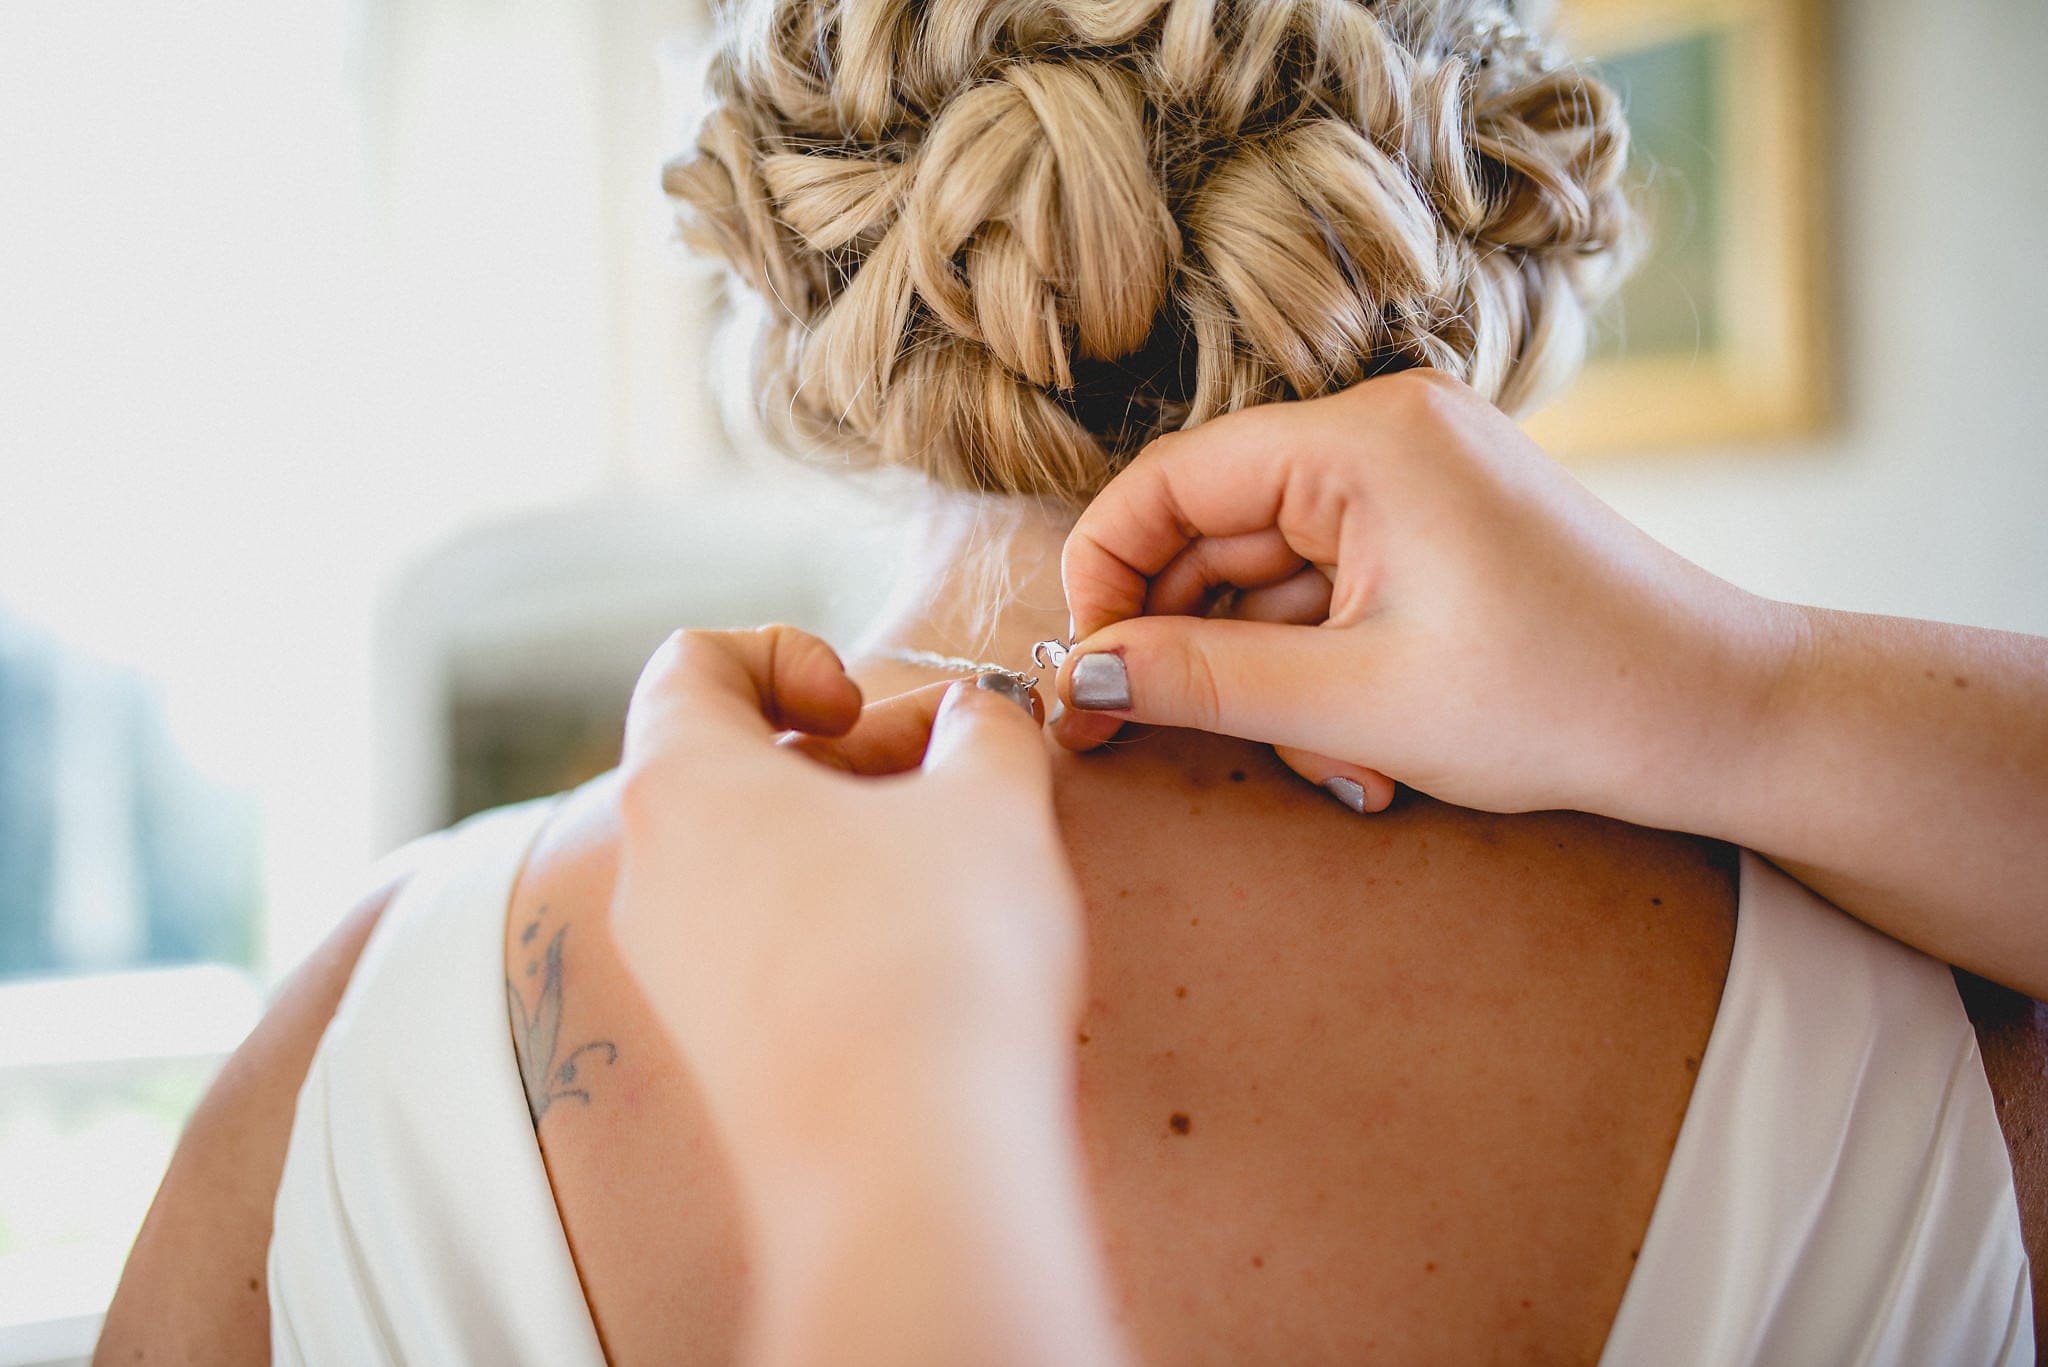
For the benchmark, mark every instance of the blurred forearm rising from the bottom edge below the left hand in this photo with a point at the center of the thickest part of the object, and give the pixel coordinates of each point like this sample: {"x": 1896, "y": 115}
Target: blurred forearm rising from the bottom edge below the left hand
{"x": 939, "y": 1231}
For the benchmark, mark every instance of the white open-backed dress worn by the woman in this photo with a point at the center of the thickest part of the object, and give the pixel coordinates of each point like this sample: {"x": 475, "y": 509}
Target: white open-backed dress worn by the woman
{"x": 1840, "y": 1190}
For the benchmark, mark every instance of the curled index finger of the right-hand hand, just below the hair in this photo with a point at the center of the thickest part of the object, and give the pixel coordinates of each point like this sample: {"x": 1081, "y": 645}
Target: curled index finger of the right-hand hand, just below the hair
{"x": 1224, "y": 479}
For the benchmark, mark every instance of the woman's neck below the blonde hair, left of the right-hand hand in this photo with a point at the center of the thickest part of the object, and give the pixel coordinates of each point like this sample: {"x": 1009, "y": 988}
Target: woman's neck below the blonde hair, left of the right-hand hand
{"x": 980, "y": 583}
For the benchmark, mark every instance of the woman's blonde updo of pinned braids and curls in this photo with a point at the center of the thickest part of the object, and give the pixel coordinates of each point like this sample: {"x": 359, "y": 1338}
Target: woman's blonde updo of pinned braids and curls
{"x": 1007, "y": 243}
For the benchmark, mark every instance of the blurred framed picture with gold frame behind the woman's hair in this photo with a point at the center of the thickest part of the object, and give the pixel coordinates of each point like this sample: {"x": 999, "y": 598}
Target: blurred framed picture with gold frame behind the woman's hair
{"x": 1721, "y": 333}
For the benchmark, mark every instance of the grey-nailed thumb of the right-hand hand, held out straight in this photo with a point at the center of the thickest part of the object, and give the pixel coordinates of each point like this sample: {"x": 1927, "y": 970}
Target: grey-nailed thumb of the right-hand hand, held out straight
{"x": 1277, "y": 683}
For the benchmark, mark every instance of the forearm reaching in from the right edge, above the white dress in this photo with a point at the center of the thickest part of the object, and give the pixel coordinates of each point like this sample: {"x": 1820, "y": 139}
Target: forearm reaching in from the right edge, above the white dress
{"x": 1902, "y": 770}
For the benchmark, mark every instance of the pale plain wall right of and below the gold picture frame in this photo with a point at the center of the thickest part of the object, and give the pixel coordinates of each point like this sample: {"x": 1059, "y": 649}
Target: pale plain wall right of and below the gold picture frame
{"x": 1930, "y": 497}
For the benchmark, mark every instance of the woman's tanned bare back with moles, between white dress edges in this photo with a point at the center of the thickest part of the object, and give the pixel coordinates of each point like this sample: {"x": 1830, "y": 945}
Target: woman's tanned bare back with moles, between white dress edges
{"x": 1349, "y": 1087}
